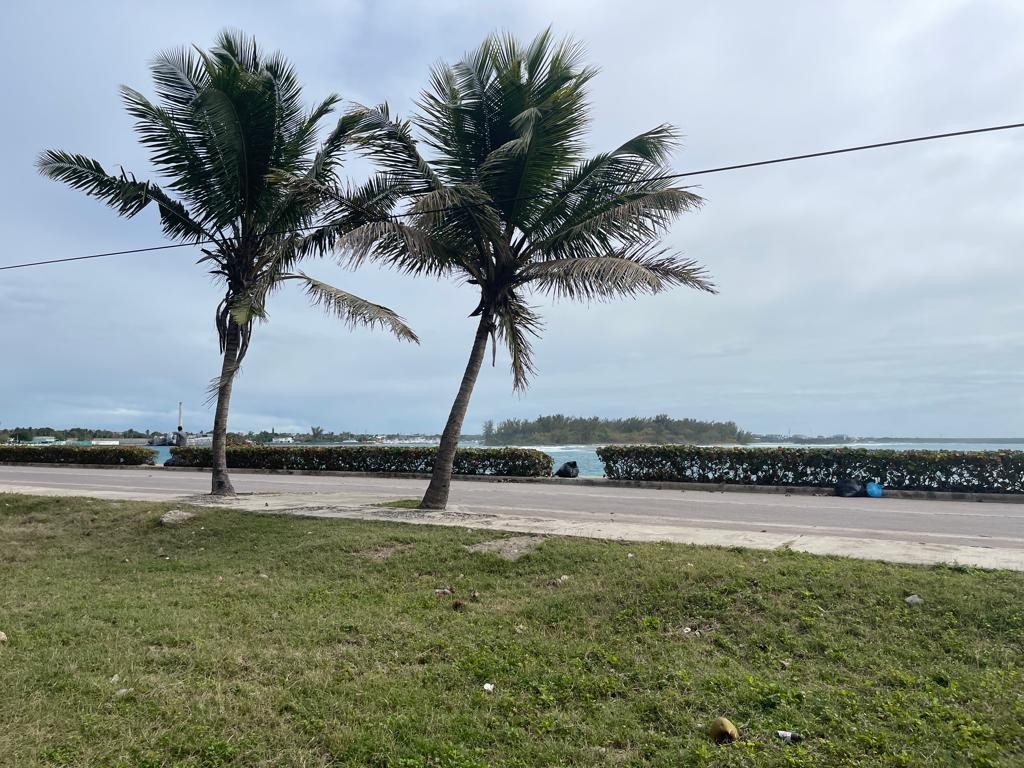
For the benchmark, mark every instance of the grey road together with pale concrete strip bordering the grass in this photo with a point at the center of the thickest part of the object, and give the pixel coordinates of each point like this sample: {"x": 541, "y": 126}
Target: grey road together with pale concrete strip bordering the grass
{"x": 974, "y": 533}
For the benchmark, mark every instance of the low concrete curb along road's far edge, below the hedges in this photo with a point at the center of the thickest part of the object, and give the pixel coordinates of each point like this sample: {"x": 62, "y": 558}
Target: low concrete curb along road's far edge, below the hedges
{"x": 938, "y": 496}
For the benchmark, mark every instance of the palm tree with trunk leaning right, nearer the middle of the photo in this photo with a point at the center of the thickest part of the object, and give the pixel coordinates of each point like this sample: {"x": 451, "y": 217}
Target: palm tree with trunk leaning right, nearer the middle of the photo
{"x": 505, "y": 201}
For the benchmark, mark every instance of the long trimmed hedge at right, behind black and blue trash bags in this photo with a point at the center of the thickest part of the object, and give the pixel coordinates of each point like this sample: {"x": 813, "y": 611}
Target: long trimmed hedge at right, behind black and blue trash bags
{"x": 991, "y": 473}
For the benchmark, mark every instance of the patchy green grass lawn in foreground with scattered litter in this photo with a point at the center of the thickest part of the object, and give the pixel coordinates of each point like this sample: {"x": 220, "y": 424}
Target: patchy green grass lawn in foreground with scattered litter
{"x": 245, "y": 641}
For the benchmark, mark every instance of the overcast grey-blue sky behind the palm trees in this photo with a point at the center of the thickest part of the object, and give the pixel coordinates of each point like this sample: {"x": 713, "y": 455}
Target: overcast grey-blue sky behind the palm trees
{"x": 876, "y": 293}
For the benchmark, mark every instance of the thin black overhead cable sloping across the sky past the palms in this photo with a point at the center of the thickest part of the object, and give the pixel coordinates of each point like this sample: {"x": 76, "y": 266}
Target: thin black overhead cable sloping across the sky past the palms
{"x": 666, "y": 178}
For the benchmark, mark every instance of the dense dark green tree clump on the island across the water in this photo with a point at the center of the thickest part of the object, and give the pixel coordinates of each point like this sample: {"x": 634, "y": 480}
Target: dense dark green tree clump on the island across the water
{"x": 660, "y": 430}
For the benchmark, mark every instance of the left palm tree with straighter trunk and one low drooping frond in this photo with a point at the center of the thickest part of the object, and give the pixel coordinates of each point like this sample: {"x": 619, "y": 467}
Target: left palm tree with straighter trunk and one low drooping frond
{"x": 231, "y": 137}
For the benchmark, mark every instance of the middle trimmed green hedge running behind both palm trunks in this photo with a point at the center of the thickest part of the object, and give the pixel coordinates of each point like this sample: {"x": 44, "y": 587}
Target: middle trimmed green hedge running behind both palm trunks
{"x": 506, "y": 462}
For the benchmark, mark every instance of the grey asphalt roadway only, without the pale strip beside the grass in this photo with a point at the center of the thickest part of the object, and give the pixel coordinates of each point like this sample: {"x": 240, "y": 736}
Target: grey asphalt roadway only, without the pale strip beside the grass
{"x": 934, "y": 523}
